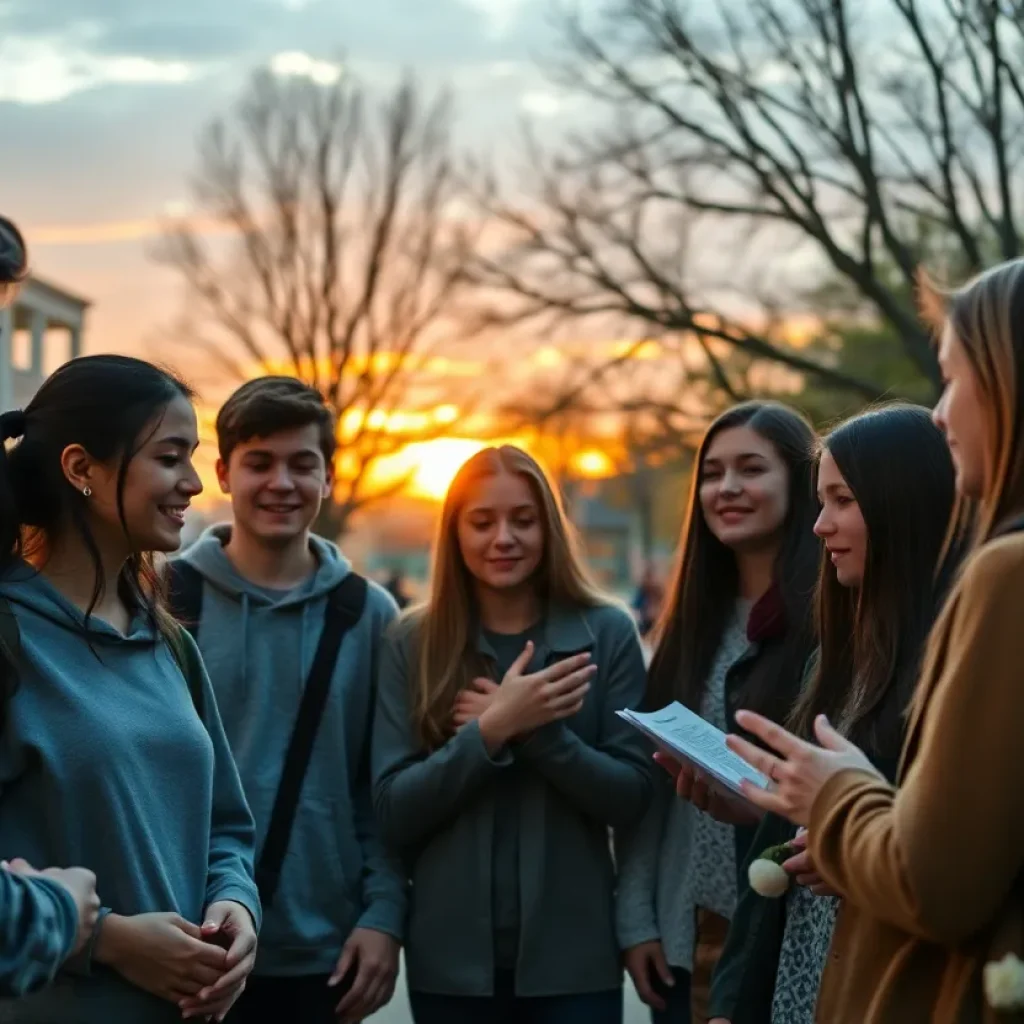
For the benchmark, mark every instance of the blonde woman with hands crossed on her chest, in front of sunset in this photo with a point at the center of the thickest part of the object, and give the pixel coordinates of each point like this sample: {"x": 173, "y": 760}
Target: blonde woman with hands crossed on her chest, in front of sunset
{"x": 500, "y": 764}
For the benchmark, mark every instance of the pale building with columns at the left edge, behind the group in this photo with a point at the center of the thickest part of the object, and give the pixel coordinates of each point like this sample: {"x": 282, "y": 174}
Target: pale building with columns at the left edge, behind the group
{"x": 39, "y": 331}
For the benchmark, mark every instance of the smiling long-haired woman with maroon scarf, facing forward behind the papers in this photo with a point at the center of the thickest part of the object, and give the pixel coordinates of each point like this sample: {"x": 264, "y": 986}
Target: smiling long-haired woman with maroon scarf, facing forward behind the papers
{"x": 736, "y": 632}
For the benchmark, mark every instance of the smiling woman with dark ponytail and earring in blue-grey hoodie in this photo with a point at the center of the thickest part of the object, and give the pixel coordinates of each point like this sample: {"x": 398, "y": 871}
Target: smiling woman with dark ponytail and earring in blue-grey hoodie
{"x": 112, "y": 753}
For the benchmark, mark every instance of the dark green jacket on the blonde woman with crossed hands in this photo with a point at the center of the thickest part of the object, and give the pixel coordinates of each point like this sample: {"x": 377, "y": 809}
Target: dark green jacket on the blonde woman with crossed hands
{"x": 580, "y": 778}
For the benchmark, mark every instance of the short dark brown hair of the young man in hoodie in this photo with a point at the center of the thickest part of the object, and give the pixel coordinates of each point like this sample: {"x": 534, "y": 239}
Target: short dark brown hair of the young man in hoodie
{"x": 269, "y": 405}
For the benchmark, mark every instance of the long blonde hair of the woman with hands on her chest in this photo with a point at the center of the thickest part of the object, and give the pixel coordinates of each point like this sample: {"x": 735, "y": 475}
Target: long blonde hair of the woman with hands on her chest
{"x": 447, "y": 634}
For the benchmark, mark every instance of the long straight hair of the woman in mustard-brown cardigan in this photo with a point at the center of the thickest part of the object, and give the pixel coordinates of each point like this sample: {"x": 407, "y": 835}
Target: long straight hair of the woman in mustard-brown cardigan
{"x": 988, "y": 318}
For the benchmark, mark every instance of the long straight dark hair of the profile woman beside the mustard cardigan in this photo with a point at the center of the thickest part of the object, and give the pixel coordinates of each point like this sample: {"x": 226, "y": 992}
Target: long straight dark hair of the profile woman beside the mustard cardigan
{"x": 898, "y": 465}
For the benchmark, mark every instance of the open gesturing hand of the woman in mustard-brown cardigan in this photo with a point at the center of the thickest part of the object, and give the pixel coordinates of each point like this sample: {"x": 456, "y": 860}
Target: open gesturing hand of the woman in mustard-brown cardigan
{"x": 799, "y": 770}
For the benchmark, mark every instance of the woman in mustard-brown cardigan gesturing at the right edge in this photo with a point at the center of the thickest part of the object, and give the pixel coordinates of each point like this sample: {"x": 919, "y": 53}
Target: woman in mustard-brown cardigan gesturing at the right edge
{"x": 932, "y": 870}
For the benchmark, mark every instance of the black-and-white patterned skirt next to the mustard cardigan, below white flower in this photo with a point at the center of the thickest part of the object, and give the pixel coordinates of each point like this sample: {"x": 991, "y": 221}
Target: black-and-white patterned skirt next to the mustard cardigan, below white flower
{"x": 809, "y": 923}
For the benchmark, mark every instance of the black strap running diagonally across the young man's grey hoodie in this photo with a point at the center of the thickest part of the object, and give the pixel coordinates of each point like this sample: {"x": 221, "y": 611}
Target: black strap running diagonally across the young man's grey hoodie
{"x": 345, "y": 608}
